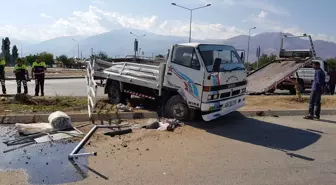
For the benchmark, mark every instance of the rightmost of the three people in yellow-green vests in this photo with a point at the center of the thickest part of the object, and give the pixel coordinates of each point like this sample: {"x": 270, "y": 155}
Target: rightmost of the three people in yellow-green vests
{"x": 38, "y": 71}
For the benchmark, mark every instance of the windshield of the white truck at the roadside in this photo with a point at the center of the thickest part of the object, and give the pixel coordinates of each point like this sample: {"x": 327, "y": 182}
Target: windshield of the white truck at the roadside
{"x": 228, "y": 56}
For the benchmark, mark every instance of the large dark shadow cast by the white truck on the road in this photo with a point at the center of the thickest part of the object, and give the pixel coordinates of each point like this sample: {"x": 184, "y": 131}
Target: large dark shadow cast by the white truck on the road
{"x": 238, "y": 127}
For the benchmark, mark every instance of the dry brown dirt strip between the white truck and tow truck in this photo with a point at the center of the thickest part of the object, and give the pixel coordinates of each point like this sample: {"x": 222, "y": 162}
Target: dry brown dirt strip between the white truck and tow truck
{"x": 284, "y": 102}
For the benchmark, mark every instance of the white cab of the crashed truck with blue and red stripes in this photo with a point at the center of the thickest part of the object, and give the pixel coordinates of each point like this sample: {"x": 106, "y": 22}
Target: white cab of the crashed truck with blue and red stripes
{"x": 209, "y": 77}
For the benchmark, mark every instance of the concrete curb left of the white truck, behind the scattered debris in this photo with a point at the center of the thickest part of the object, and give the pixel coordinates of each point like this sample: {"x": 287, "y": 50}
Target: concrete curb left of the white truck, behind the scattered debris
{"x": 79, "y": 117}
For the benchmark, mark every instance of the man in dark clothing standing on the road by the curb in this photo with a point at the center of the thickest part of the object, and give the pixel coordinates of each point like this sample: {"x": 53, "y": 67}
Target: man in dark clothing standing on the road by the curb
{"x": 316, "y": 93}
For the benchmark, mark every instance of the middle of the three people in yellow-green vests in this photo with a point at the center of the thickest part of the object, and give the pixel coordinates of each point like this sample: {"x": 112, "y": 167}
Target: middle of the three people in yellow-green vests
{"x": 21, "y": 74}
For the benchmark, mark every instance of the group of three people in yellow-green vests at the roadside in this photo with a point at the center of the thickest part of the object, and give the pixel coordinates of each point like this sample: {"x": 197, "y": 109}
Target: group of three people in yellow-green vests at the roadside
{"x": 22, "y": 76}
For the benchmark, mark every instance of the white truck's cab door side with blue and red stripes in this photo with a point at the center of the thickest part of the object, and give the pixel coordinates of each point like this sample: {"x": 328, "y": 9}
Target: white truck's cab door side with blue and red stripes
{"x": 186, "y": 74}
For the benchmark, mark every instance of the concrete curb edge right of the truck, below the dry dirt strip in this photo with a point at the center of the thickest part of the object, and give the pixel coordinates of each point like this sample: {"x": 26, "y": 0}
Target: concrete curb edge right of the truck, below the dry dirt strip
{"x": 254, "y": 113}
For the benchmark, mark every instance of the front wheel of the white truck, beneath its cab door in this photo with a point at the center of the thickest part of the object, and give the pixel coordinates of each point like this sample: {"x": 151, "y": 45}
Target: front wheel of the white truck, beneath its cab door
{"x": 177, "y": 108}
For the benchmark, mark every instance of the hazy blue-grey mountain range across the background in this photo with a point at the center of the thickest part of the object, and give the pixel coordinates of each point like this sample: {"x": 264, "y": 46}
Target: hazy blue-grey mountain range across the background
{"x": 120, "y": 43}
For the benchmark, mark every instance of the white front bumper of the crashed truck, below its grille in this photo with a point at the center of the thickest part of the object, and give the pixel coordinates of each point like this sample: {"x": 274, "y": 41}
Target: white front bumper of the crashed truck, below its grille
{"x": 226, "y": 107}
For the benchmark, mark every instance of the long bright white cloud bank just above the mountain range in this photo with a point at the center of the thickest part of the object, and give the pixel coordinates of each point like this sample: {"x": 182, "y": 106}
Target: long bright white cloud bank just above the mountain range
{"x": 96, "y": 21}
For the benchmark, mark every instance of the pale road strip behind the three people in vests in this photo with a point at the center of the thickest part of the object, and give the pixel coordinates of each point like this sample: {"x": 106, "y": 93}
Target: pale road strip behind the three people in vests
{"x": 61, "y": 87}
